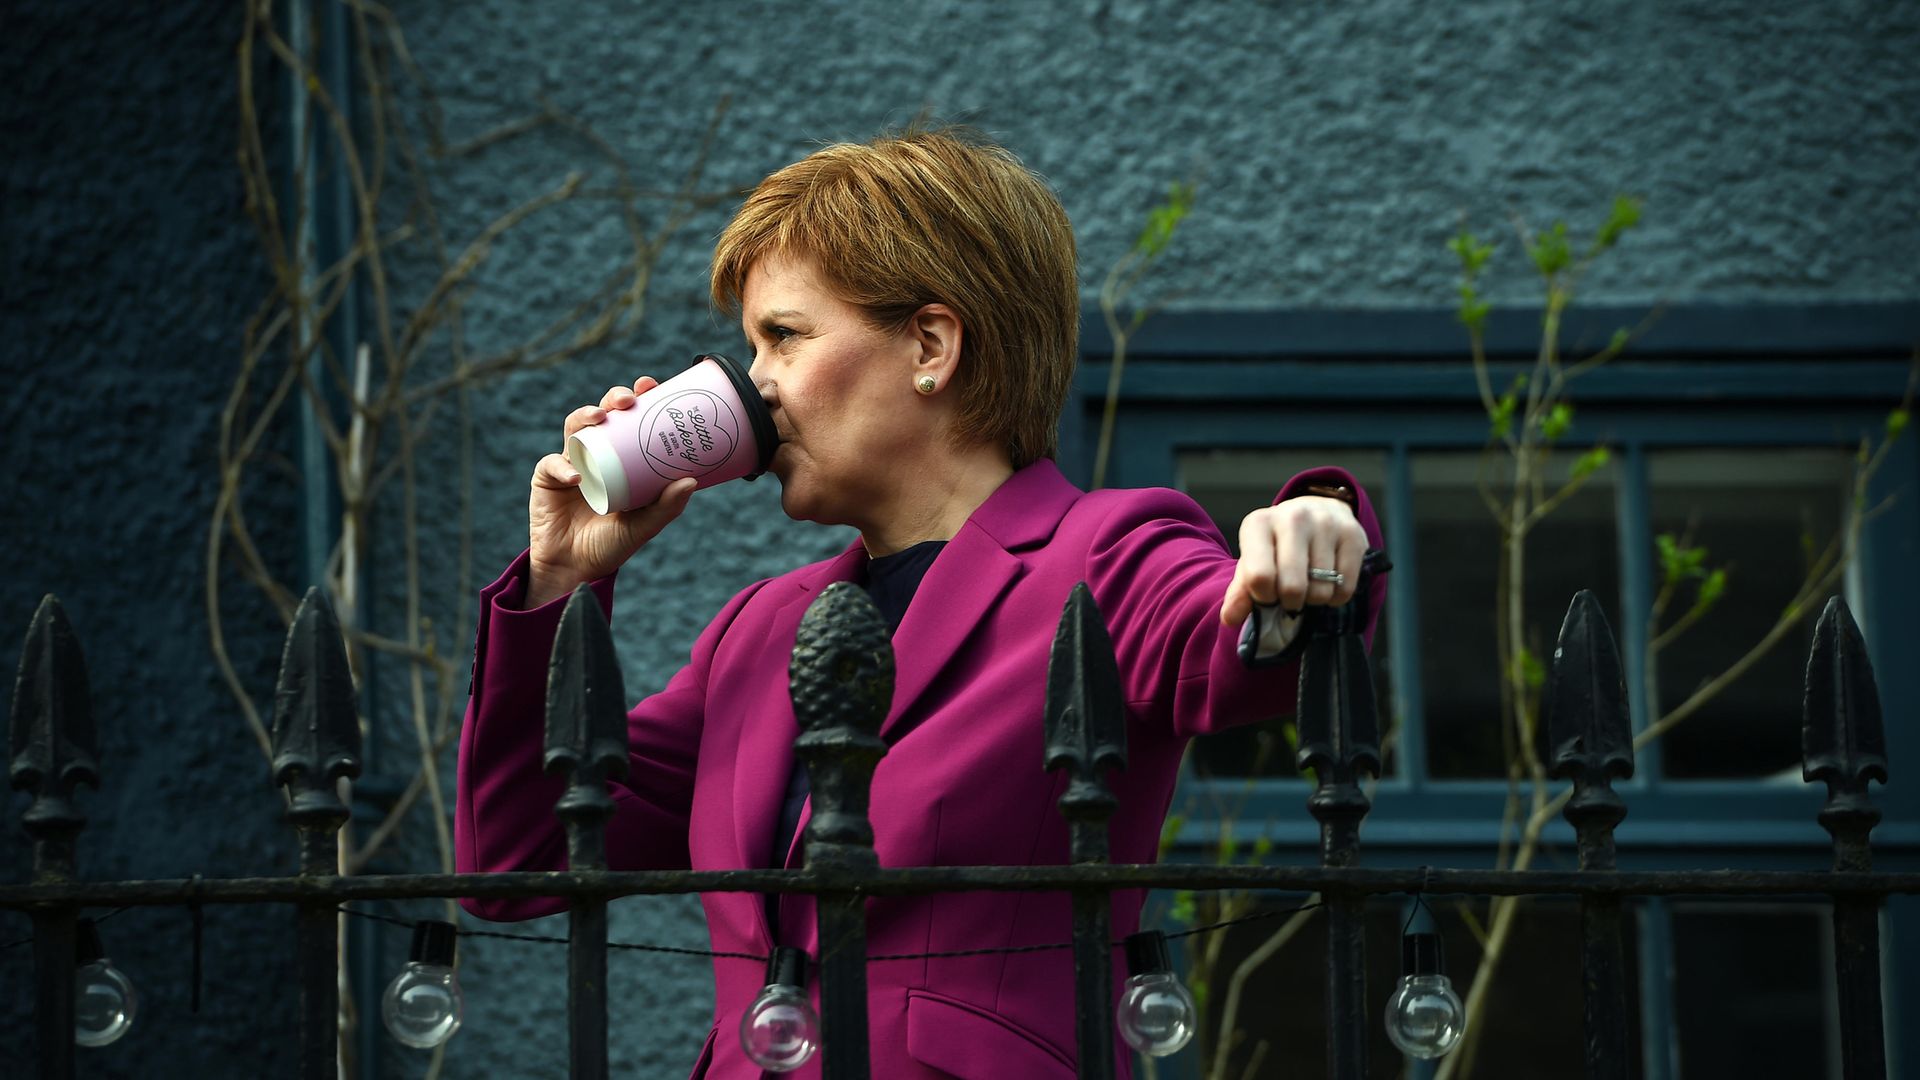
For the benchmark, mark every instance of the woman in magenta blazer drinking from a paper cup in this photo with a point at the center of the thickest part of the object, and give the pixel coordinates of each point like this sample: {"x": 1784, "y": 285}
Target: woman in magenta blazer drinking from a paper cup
{"x": 913, "y": 316}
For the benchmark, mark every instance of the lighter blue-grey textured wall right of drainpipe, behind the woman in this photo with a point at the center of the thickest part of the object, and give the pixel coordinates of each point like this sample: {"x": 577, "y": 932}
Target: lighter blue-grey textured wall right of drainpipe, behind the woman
{"x": 1335, "y": 147}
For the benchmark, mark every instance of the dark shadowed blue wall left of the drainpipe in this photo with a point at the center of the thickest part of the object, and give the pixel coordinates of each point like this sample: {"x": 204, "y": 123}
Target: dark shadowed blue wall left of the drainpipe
{"x": 128, "y": 270}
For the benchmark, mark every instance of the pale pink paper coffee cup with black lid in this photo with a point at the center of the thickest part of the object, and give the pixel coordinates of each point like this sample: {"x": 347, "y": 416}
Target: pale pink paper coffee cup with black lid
{"x": 708, "y": 424}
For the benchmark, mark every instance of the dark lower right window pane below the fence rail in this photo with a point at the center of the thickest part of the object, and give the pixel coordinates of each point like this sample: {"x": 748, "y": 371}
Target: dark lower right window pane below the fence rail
{"x": 1754, "y": 993}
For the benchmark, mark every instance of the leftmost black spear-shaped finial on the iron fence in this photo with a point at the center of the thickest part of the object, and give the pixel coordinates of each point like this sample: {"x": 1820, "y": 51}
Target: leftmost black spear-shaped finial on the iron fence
{"x": 53, "y": 737}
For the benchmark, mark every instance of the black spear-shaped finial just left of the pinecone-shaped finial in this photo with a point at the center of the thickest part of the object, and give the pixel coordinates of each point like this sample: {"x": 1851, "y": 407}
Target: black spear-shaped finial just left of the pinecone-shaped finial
{"x": 587, "y": 725}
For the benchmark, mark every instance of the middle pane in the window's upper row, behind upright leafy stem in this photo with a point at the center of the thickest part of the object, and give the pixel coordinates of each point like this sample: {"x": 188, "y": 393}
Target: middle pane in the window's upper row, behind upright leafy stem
{"x": 1458, "y": 545}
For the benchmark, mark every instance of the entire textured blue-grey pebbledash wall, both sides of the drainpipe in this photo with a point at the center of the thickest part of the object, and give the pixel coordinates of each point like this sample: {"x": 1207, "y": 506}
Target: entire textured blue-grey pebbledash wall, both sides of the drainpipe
{"x": 1335, "y": 151}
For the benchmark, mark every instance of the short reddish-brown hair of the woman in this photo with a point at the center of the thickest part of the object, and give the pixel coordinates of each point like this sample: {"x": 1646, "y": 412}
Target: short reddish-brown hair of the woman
{"x": 936, "y": 216}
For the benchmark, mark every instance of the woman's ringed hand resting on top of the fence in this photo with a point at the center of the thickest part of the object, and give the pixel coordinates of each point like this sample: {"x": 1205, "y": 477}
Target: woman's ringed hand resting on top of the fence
{"x": 1280, "y": 543}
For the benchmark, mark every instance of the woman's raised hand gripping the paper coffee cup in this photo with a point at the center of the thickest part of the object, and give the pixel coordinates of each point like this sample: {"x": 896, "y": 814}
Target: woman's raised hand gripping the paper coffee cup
{"x": 567, "y": 543}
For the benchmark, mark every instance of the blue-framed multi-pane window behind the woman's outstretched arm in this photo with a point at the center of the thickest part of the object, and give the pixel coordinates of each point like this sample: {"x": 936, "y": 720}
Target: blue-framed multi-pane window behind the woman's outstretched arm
{"x": 1748, "y": 460}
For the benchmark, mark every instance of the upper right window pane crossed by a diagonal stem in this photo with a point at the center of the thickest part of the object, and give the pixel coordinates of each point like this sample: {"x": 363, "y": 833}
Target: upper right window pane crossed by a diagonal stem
{"x": 1762, "y": 516}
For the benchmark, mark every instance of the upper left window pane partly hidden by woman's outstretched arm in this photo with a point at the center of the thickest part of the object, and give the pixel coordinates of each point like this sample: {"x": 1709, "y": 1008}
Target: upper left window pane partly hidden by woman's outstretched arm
{"x": 1230, "y": 485}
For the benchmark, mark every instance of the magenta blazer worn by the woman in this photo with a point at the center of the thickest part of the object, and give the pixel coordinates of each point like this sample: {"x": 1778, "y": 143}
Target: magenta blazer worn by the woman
{"x": 963, "y": 781}
